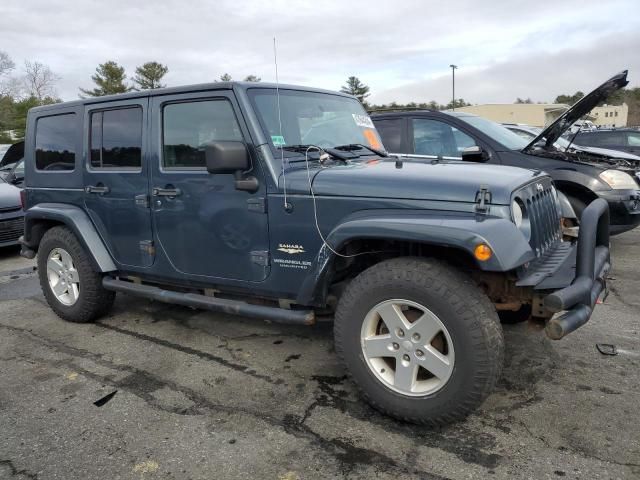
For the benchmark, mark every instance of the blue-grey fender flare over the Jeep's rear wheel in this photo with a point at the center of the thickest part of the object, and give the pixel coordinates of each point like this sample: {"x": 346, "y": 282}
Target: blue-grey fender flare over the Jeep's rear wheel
{"x": 79, "y": 223}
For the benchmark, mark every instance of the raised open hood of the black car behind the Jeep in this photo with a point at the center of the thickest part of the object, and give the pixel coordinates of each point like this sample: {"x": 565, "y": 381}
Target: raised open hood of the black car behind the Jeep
{"x": 578, "y": 110}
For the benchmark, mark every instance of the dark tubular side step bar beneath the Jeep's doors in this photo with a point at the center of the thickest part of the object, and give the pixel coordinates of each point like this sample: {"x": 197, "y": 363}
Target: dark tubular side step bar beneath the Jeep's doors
{"x": 234, "y": 307}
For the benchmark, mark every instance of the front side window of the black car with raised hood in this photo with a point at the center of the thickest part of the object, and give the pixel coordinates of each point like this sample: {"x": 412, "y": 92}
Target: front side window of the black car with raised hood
{"x": 439, "y": 139}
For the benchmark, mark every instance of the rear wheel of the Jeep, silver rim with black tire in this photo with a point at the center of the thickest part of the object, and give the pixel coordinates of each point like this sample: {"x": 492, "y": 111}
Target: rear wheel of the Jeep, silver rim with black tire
{"x": 72, "y": 288}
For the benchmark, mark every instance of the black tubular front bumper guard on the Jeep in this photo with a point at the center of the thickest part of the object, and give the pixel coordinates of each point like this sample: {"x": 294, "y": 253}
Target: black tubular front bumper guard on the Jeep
{"x": 591, "y": 267}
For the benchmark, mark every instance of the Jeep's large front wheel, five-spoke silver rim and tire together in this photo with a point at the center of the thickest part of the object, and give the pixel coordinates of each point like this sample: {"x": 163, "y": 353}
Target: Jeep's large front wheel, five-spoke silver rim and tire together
{"x": 420, "y": 340}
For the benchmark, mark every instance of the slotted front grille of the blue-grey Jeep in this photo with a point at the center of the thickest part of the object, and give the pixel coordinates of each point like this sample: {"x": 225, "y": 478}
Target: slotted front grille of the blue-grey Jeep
{"x": 542, "y": 211}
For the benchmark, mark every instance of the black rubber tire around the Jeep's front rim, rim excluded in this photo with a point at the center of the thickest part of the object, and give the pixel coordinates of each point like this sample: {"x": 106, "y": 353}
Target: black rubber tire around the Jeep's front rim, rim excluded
{"x": 466, "y": 312}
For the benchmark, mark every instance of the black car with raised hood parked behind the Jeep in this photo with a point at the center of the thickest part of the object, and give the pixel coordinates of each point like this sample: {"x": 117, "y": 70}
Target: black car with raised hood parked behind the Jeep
{"x": 581, "y": 176}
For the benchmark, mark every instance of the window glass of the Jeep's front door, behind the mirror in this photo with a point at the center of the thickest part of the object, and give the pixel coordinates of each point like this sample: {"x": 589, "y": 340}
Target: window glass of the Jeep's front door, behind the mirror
{"x": 188, "y": 127}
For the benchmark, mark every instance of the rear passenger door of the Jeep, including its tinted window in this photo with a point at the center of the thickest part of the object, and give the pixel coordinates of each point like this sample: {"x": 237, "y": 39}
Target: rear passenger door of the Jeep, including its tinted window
{"x": 116, "y": 179}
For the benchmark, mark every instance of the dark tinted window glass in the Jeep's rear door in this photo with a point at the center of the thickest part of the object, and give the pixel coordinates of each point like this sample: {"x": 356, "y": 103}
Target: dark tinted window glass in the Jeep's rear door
{"x": 116, "y": 139}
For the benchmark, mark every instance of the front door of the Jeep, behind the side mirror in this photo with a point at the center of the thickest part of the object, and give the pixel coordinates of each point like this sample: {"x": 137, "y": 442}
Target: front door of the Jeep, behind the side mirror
{"x": 203, "y": 224}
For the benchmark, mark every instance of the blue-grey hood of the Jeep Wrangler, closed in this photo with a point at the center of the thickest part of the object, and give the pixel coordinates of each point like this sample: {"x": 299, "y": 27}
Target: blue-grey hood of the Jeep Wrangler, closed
{"x": 450, "y": 181}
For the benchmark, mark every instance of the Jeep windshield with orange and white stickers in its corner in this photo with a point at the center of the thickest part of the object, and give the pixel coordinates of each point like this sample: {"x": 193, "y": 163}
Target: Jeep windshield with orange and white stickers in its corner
{"x": 310, "y": 118}
